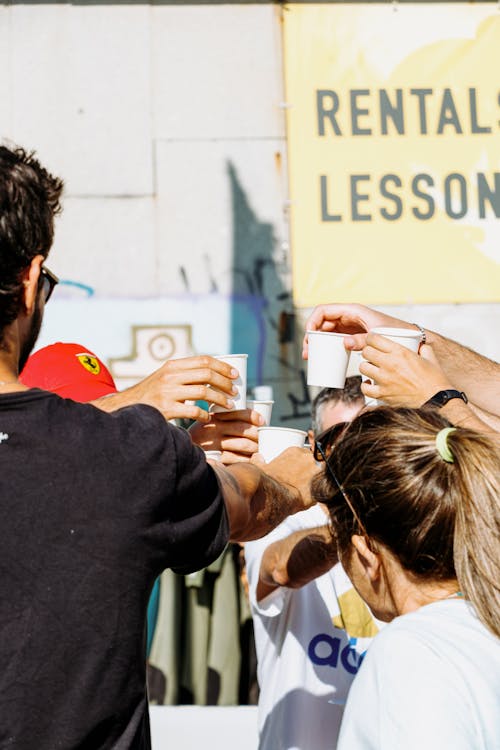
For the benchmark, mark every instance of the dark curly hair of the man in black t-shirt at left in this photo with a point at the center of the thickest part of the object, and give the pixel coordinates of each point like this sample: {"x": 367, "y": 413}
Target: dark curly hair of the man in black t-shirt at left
{"x": 29, "y": 200}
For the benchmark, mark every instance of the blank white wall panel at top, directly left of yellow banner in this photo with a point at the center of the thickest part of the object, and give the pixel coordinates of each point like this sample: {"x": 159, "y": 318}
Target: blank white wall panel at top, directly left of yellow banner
{"x": 217, "y": 71}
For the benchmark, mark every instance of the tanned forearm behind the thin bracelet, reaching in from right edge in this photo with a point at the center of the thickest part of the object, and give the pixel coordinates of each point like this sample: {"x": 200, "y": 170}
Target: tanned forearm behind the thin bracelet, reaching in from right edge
{"x": 469, "y": 371}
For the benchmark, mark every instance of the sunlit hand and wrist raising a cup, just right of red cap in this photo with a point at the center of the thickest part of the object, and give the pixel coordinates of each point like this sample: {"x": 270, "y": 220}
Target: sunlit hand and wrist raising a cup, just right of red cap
{"x": 176, "y": 385}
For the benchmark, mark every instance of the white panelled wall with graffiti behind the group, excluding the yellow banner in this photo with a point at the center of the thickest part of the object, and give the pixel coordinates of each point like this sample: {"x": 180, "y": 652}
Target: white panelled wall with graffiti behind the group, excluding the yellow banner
{"x": 167, "y": 123}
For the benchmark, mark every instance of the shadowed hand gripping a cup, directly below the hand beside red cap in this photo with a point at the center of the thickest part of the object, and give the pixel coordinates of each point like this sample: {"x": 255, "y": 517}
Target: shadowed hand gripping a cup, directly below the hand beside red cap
{"x": 234, "y": 433}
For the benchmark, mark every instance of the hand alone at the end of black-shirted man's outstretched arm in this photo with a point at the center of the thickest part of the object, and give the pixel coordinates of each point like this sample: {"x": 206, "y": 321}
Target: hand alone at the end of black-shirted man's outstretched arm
{"x": 295, "y": 467}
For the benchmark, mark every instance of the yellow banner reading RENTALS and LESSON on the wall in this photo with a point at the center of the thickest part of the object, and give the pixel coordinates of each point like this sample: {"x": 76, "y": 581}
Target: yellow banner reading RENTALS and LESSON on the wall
{"x": 394, "y": 152}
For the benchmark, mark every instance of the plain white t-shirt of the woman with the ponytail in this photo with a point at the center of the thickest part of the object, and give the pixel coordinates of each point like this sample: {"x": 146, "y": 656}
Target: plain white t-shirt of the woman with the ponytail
{"x": 431, "y": 681}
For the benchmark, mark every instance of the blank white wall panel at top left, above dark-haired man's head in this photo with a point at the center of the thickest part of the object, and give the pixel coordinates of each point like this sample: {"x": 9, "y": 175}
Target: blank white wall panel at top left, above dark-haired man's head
{"x": 80, "y": 92}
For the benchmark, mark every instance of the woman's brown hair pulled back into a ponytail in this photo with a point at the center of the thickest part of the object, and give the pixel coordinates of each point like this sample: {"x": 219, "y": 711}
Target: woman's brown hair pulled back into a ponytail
{"x": 440, "y": 518}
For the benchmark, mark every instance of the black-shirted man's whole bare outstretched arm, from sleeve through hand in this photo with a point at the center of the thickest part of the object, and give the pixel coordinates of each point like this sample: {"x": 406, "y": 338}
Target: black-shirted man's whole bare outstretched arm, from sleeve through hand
{"x": 256, "y": 502}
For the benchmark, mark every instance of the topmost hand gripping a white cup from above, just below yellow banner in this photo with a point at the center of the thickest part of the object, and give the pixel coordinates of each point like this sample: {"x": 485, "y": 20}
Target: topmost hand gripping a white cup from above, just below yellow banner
{"x": 348, "y": 318}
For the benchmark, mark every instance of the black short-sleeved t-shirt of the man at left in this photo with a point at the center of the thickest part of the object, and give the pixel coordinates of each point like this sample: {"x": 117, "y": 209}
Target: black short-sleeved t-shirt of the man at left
{"x": 93, "y": 506}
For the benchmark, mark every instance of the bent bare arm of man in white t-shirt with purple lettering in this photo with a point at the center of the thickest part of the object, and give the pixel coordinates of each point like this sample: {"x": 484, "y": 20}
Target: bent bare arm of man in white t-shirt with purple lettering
{"x": 296, "y": 560}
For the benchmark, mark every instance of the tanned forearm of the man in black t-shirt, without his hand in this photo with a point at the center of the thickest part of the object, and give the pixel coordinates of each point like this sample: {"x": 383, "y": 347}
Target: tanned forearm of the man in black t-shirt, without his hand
{"x": 255, "y": 502}
